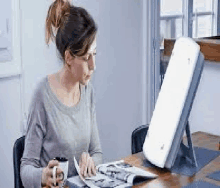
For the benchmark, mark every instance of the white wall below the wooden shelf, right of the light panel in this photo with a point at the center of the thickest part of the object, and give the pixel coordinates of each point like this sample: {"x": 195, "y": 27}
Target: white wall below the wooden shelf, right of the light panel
{"x": 205, "y": 110}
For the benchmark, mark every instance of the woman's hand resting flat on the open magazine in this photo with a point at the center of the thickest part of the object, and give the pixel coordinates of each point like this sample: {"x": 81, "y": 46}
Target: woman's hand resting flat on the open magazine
{"x": 87, "y": 165}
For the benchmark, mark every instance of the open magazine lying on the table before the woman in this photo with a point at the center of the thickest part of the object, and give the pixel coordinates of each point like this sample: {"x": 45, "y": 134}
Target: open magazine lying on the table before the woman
{"x": 116, "y": 174}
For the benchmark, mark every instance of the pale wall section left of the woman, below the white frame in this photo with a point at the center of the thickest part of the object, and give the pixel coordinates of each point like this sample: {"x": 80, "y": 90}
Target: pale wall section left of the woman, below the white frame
{"x": 10, "y": 113}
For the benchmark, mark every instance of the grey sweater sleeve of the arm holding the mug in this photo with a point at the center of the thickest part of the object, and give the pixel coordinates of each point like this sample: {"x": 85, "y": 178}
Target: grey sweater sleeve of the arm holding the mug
{"x": 31, "y": 169}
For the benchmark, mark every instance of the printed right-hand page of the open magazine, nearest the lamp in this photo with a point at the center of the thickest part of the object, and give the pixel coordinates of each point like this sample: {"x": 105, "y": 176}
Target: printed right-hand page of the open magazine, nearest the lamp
{"x": 123, "y": 171}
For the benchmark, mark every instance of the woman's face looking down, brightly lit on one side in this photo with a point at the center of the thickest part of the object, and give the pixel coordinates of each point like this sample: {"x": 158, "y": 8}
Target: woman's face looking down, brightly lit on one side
{"x": 83, "y": 67}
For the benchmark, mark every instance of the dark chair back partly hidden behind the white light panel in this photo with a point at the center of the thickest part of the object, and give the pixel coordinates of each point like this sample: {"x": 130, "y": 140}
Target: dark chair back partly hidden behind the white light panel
{"x": 138, "y": 138}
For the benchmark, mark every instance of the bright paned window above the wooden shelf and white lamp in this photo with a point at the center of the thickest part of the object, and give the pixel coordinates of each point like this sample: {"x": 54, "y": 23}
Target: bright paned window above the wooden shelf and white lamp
{"x": 192, "y": 18}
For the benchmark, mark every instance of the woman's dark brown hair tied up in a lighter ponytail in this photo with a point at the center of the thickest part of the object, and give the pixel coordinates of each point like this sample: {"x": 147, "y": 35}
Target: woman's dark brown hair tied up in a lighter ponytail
{"x": 71, "y": 27}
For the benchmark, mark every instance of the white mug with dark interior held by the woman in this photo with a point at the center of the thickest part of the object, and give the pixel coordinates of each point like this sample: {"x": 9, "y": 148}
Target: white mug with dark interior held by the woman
{"x": 63, "y": 164}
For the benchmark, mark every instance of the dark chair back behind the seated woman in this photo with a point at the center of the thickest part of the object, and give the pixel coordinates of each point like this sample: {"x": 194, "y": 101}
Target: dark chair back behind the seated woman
{"x": 17, "y": 155}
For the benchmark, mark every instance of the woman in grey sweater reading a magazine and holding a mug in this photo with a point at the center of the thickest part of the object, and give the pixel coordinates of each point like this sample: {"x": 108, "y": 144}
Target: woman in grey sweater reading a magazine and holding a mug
{"x": 62, "y": 118}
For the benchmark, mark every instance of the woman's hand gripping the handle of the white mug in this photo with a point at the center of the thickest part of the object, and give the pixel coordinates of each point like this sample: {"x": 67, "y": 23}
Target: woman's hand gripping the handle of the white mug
{"x": 47, "y": 175}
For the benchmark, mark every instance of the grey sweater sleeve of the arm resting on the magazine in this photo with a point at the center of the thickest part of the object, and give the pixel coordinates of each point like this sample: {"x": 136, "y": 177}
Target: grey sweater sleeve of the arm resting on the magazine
{"x": 95, "y": 150}
